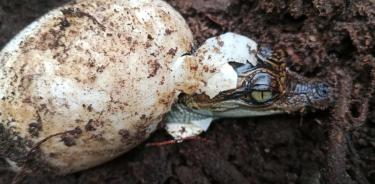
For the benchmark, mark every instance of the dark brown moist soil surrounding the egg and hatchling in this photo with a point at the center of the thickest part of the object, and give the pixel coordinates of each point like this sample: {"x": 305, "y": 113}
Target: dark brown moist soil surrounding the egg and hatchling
{"x": 332, "y": 39}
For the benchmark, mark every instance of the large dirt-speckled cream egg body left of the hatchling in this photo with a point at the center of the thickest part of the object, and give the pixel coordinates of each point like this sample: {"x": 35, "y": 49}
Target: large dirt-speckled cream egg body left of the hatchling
{"x": 99, "y": 67}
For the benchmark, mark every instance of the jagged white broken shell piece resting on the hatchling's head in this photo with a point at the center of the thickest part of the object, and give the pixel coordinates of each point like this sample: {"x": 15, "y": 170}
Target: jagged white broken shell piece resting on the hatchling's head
{"x": 216, "y": 54}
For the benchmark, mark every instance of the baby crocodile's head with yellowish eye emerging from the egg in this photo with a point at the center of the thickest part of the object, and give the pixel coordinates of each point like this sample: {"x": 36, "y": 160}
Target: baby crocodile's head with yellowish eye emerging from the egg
{"x": 268, "y": 87}
